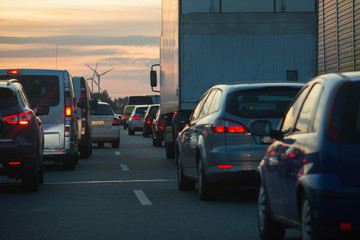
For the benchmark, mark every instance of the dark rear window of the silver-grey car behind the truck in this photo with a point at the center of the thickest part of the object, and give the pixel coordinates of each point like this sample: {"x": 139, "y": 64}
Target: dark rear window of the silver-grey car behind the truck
{"x": 268, "y": 102}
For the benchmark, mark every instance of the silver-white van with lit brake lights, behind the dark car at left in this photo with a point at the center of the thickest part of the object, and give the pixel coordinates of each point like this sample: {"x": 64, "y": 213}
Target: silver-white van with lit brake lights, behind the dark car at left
{"x": 54, "y": 88}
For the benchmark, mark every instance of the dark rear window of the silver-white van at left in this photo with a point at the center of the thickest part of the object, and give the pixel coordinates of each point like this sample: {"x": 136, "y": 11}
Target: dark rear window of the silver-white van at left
{"x": 40, "y": 89}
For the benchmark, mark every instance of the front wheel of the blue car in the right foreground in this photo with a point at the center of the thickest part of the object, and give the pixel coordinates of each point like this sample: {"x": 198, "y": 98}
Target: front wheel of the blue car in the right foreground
{"x": 268, "y": 228}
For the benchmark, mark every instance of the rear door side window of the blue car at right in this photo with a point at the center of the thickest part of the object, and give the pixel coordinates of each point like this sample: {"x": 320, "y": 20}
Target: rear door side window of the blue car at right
{"x": 308, "y": 109}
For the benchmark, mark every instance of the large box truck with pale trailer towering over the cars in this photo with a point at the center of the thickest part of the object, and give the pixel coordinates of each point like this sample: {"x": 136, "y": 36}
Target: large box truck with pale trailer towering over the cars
{"x": 209, "y": 42}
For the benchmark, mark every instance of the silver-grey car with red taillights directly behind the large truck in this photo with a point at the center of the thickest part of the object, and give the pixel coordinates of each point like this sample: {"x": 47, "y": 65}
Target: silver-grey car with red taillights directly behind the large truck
{"x": 215, "y": 145}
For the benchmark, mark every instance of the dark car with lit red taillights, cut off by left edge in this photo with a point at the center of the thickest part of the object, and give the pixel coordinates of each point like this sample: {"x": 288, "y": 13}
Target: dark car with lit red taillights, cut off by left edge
{"x": 21, "y": 136}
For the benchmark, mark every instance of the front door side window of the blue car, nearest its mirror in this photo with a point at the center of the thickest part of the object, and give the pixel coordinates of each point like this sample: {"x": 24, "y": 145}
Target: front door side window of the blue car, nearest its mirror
{"x": 290, "y": 116}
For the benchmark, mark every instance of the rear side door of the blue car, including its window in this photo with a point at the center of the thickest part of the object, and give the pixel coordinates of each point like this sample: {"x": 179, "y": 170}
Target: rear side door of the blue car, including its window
{"x": 298, "y": 148}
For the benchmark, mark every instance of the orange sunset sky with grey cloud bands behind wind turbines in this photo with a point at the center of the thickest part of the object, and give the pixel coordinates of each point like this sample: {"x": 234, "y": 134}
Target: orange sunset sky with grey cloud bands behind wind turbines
{"x": 115, "y": 33}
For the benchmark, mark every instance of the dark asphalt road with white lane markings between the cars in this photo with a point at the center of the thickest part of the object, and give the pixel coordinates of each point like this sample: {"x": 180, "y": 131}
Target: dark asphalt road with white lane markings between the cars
{"x": 124, "y": 193}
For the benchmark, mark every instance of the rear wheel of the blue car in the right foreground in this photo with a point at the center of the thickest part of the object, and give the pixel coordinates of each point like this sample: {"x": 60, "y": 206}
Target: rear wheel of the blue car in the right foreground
{"x": 308, "y": 227}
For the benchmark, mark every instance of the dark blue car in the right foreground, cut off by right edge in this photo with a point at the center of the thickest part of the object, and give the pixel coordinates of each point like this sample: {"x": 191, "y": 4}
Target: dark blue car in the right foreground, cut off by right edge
{"x": 310, "y": 175}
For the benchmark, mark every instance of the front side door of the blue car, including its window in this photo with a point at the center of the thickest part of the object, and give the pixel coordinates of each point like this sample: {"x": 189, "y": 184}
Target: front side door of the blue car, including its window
{"x": 272, "y": 166}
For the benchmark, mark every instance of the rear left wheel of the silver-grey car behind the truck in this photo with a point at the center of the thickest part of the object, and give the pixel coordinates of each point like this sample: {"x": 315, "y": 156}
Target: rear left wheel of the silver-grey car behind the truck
{"x": 206, "y": 190}
